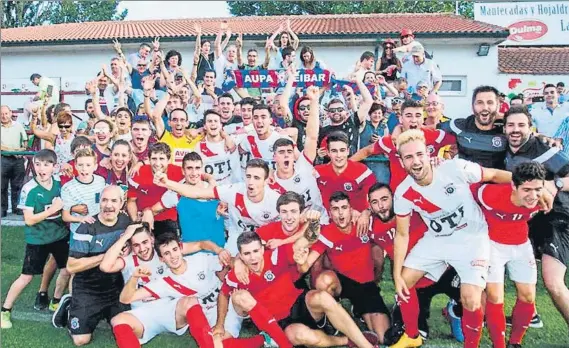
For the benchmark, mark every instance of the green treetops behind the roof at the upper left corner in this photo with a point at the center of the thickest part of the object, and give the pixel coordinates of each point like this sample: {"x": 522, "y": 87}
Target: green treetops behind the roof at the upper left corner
{"x": 29, "y": 13}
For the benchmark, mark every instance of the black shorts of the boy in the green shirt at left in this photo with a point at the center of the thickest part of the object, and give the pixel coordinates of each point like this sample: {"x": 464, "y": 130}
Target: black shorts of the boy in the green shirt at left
{"x": 36, "y": 256}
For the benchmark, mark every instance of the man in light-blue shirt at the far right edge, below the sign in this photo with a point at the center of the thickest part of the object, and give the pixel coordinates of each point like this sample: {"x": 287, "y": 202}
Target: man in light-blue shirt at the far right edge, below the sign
{"x": 548, "y": 117}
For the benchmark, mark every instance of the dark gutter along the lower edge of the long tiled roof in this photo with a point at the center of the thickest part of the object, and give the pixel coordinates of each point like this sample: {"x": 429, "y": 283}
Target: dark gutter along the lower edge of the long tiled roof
{"x": 378, "y": 36}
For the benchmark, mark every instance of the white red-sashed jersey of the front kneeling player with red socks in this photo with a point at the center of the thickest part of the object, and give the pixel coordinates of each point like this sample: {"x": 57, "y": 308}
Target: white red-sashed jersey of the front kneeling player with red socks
{"x": 199, "y": 280}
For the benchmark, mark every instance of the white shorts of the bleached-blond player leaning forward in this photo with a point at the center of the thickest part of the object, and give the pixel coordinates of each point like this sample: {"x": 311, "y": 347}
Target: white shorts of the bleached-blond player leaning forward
{"x": 469, "y": 257}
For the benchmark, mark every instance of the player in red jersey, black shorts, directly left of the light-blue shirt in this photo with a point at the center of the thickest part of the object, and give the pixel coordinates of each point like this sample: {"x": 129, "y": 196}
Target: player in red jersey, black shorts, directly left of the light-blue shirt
{"x": 143, "y": 194}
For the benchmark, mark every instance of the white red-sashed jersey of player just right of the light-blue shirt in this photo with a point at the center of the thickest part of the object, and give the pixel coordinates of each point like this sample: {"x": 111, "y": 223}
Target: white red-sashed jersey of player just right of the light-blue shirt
{"x": 245, "y": 215}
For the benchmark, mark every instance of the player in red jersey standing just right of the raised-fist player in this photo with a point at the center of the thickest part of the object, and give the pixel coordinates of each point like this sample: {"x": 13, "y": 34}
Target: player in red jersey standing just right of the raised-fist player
{"x": 343, "y": 174}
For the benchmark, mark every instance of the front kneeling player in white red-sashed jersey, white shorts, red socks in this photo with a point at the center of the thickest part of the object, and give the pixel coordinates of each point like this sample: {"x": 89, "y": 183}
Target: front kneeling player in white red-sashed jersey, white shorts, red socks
{"x": 186, "y": 291}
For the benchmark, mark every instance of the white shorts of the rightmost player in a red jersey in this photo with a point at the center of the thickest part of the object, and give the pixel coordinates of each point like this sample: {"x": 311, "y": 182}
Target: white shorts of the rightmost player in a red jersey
{"x": 517, "y": 259}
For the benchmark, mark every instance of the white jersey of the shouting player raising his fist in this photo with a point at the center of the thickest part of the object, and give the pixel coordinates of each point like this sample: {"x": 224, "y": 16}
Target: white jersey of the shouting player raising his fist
{"x": 304, "y": 183}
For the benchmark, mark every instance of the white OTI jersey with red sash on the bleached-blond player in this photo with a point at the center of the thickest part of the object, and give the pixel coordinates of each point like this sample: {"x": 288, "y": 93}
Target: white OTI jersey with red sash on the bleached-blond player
{"x": 446, "y": 205}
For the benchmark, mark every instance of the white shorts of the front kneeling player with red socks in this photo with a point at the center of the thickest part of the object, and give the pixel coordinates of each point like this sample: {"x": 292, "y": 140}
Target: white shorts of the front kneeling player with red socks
{"x": 157, "y": 317}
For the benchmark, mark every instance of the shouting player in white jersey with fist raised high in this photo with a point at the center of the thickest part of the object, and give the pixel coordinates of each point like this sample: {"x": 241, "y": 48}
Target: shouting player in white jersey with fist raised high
{"x": 298, "y": 177}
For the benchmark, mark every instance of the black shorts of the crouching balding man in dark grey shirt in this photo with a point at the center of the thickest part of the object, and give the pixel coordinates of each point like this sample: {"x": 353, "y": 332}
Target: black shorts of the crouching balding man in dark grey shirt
{"x": 86, "y": 311}
